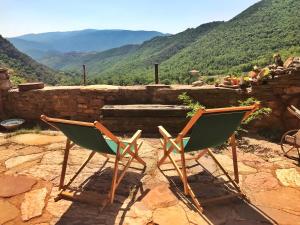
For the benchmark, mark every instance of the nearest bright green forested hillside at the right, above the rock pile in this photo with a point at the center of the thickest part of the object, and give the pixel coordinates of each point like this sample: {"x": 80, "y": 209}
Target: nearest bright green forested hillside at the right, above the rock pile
{"x": 250, "y": 38}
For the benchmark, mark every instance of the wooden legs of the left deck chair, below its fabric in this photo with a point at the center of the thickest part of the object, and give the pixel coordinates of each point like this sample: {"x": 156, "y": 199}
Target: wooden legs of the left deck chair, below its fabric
{"x": 116, "y": 179}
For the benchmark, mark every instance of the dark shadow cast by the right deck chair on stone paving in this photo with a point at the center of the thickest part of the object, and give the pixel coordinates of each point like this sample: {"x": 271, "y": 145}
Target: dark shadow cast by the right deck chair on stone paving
{"x": 207, "y": 185}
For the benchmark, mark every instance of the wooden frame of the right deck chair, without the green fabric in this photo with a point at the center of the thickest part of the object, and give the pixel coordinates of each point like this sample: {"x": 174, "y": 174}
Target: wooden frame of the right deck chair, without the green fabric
{"x": 177, "y": 144}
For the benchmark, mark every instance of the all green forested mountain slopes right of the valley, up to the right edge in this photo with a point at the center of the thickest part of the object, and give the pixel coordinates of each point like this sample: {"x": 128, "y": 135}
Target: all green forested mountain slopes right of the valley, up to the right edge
{"x": 231, "y": 47}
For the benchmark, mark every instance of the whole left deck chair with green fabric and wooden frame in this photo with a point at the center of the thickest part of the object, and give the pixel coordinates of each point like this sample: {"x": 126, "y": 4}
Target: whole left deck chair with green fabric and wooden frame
{"x": 97, "y": 138}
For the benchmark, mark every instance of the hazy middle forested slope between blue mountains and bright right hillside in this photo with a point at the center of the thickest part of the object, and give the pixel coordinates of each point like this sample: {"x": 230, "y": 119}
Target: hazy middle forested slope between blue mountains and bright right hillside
{"x": 129, "y": 62}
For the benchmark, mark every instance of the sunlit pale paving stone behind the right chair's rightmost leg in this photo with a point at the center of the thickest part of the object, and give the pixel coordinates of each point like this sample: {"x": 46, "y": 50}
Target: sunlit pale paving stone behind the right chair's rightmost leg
{"x": 227, "y": 163}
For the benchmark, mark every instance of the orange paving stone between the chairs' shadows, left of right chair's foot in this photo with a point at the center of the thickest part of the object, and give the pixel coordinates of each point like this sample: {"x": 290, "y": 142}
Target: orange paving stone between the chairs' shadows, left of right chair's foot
{"x": 159, "y": 196}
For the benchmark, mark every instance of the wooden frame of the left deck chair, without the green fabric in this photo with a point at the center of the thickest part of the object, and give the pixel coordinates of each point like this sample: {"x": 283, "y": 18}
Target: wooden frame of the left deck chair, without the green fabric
{"x": 116, "y": 179}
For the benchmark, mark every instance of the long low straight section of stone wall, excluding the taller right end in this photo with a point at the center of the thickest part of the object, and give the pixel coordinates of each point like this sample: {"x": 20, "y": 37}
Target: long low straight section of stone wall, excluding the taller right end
{"x": 84, "y": 103}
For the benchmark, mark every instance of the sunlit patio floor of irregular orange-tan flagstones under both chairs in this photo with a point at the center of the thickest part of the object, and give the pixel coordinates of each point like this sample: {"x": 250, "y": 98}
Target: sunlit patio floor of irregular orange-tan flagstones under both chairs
{"x": 30, "y": 167}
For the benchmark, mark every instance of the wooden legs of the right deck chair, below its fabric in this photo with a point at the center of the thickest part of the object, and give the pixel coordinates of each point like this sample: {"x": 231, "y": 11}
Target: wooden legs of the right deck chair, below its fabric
{"x": 169, "y": 145}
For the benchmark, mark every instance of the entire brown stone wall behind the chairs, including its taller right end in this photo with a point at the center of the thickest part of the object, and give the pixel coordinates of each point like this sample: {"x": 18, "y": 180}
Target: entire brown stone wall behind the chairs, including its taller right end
{"x": 84, "y": 103}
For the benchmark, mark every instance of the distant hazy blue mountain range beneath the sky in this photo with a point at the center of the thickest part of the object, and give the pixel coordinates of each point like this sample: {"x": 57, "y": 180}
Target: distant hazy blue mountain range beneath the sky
{"x": 40, "y": 45}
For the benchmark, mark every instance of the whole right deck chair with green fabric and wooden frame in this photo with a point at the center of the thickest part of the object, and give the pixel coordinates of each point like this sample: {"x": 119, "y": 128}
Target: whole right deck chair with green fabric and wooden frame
{"x": 207, "y": 128}
